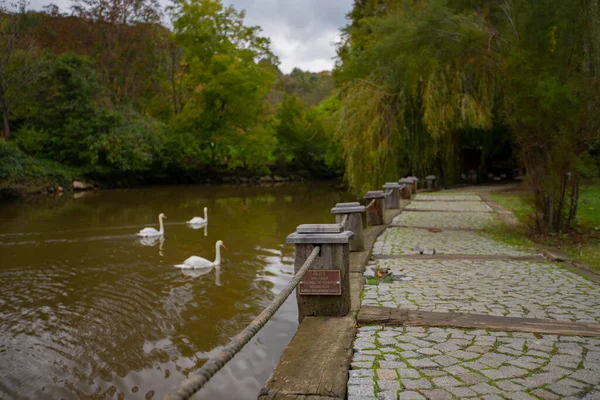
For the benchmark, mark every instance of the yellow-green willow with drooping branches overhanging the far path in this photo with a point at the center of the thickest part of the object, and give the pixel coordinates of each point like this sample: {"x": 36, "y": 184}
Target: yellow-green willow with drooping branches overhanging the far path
{"x": 416, "y": 79}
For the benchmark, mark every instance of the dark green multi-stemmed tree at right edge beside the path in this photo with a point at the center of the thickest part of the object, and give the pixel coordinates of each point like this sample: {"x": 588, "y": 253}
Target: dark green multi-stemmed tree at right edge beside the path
{"x": 552, "y": 94}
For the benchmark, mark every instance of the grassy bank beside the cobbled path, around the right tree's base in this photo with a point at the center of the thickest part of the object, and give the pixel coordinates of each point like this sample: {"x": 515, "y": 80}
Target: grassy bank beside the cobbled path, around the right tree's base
{"x": 583, "y": 243}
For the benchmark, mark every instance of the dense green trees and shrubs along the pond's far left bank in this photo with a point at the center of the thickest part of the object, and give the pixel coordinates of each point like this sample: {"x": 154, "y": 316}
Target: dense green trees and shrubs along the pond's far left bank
{"x": 125, "y": 99}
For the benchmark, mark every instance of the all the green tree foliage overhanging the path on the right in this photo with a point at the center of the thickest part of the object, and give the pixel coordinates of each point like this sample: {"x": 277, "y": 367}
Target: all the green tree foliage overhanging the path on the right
{"x": 432, "y": 78}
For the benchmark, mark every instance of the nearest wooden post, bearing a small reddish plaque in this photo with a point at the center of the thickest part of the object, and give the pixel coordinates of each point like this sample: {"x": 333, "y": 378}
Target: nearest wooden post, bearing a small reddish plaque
{"x": 329, "y": 274}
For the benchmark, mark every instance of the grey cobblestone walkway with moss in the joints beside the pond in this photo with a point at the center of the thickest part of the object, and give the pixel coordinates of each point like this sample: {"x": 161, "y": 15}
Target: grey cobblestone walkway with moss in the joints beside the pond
{"x": 446, "y": 363}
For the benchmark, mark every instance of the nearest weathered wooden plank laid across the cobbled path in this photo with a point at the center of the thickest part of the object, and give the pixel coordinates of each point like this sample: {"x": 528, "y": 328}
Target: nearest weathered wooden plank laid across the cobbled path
{"x": 397, "y": 316}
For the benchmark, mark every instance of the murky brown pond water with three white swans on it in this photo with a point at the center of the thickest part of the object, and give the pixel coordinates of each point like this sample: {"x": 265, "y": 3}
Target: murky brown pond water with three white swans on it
{"x": 88, "y": 311}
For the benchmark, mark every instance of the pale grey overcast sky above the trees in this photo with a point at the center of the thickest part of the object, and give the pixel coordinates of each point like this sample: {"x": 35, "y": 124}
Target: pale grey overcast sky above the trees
{"x": 302, "y": 32}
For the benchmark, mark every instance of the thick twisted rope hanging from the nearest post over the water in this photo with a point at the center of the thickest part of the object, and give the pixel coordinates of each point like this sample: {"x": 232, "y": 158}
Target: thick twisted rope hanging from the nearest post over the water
{"x": 193, "y": 384}
